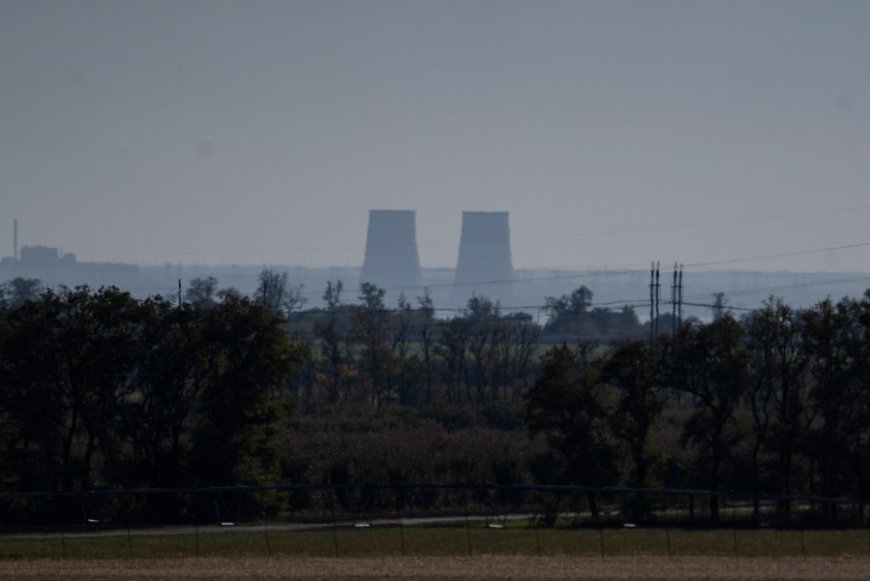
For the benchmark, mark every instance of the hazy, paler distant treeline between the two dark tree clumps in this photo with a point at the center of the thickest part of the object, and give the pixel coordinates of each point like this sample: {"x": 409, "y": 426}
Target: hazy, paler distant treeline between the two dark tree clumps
{"x": 478, "y": 357}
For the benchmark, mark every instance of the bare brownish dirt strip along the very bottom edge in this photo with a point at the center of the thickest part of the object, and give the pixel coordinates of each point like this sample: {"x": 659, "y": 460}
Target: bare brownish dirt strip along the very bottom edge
{"x": 477, "y": 568}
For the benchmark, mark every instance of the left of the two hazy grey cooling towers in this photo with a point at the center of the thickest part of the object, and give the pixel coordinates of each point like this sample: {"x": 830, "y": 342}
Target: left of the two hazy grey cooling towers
{"x": 391, "y": 250}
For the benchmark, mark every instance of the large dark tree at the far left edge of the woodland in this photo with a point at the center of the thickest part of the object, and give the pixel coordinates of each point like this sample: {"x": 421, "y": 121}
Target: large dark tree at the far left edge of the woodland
{"x": 69, "y": 362}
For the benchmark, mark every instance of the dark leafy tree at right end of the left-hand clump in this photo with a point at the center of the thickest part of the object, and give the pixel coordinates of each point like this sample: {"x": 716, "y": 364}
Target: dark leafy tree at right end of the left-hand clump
{"x": 250, "y": 359}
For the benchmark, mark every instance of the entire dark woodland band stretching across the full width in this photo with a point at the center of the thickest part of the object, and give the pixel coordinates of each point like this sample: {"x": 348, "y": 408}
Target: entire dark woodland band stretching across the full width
{"x": 98, "y": 389}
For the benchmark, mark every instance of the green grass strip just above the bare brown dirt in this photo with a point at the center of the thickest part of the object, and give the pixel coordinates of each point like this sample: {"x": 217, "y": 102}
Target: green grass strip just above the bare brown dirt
{"x": 438, "y": 541}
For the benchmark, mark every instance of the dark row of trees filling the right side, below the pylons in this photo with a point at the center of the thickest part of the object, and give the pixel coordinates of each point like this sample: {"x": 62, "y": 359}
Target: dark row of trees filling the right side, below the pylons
{"x": 777, "y": 403}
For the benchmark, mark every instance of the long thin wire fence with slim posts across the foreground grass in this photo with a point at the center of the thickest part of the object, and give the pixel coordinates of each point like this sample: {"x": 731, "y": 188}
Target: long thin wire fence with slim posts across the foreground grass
{"x": 336, "y": 520}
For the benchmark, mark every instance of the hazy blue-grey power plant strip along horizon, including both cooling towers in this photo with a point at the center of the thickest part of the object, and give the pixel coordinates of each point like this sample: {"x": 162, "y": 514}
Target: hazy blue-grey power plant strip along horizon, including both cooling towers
{"x": 392, "y": 262}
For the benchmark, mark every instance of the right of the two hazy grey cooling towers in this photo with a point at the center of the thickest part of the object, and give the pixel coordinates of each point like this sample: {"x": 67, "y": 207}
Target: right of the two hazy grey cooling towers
{"x": 484, "y": 250}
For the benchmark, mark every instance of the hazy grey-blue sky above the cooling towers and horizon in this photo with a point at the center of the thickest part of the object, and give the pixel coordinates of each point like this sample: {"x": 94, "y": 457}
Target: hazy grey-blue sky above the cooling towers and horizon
{"x": 613, "y": 132}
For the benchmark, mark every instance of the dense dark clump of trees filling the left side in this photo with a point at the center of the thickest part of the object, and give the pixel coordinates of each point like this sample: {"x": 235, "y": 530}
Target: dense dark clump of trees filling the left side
{"x": 99, "y": 389}
